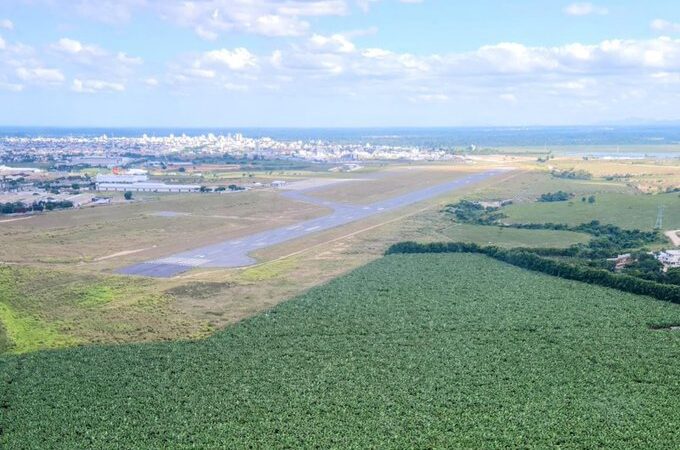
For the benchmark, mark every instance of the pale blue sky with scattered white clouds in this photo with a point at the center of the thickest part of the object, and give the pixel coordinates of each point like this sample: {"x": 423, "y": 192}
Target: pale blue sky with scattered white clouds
{"x": 337, "y": 63}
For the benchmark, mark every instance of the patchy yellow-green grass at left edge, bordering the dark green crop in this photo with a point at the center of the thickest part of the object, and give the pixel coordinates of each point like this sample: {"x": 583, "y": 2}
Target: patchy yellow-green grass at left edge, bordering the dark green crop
{"x": 42, "y": 309}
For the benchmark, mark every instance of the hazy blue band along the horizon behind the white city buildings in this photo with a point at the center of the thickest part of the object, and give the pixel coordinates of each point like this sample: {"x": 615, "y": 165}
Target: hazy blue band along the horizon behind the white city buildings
{"x": 423, "y": 137}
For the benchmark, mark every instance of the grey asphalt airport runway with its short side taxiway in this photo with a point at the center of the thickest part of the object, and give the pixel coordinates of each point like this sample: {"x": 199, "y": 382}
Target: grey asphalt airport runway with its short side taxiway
{"x": 235, "y": 252}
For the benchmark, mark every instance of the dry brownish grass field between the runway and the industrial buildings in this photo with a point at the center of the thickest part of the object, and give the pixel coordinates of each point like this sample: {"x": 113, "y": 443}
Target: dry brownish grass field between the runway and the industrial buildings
{"x": 144, "y": 227}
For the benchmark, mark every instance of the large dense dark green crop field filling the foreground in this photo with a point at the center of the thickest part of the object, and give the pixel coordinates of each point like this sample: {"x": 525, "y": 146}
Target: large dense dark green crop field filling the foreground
{"x": 446, "y": 350}
